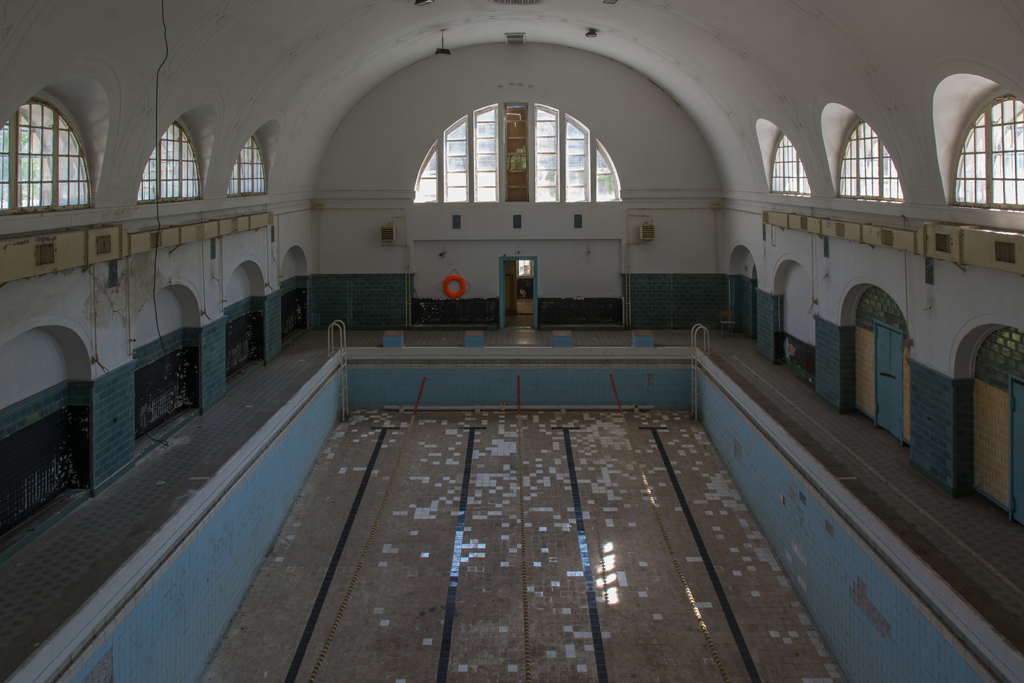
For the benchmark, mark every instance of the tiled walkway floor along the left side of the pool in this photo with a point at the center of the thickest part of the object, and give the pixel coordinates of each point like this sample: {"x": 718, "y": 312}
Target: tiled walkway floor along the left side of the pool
{"x": 49, "y": 581}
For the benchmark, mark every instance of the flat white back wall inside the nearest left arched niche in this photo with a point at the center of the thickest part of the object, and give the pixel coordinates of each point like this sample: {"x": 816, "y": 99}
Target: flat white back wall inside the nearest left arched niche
{"x": 29, "y": 364}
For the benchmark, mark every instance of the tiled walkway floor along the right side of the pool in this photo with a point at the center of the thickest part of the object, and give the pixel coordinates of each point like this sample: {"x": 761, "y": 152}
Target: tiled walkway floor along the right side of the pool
{"x": 967, "y": 541}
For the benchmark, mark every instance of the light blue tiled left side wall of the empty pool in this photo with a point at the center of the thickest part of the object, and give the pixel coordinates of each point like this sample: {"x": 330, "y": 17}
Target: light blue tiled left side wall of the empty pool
{"x": 174, "y": 630}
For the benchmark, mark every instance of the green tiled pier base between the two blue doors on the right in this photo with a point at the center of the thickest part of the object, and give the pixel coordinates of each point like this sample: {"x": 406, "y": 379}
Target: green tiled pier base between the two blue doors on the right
{"x": 943, "y": 430}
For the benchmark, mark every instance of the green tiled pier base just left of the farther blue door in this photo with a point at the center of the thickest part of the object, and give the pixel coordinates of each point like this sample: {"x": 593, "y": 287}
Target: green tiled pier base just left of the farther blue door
{"x": 836, "y": 365}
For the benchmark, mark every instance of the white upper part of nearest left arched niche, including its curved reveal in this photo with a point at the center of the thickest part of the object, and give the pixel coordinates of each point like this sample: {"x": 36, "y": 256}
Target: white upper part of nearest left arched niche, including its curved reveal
{"x": 40, "y": 359}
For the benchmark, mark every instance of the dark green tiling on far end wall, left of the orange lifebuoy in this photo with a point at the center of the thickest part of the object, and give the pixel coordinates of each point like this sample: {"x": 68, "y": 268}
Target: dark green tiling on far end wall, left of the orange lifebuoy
{"x": 360, "y": 301}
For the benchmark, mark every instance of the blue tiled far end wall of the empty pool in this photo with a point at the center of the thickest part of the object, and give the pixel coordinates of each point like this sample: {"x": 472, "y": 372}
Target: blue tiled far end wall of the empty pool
{"x": 494, "y": 387}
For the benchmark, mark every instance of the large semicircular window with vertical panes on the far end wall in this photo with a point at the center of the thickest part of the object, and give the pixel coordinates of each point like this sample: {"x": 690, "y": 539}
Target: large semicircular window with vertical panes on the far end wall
{"x": 465, "y": 166}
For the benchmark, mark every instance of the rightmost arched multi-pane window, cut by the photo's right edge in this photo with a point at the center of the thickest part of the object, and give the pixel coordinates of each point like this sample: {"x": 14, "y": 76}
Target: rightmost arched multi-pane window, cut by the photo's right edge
{"x": 992, "y": 165}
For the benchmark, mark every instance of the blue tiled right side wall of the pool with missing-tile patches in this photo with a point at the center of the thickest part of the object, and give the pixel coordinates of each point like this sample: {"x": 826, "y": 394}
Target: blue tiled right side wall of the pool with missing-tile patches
{"x": 874, "y": 629}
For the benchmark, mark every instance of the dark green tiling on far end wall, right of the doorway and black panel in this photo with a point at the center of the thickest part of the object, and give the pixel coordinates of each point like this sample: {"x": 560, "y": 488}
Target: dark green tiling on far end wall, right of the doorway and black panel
{"x": 676, "y": 302}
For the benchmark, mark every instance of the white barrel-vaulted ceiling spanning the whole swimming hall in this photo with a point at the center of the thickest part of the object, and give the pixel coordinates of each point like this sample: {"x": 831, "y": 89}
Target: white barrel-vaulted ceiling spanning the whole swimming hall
{"x": 297, "y": 67}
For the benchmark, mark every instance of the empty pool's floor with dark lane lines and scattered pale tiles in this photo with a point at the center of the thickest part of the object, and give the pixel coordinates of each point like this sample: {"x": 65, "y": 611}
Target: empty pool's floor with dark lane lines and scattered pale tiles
{"x": 392, "y": 629}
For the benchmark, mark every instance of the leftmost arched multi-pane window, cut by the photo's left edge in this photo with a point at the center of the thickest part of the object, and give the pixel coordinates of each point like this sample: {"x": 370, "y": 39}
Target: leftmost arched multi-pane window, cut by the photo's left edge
{"x": 42, "y": 163}
